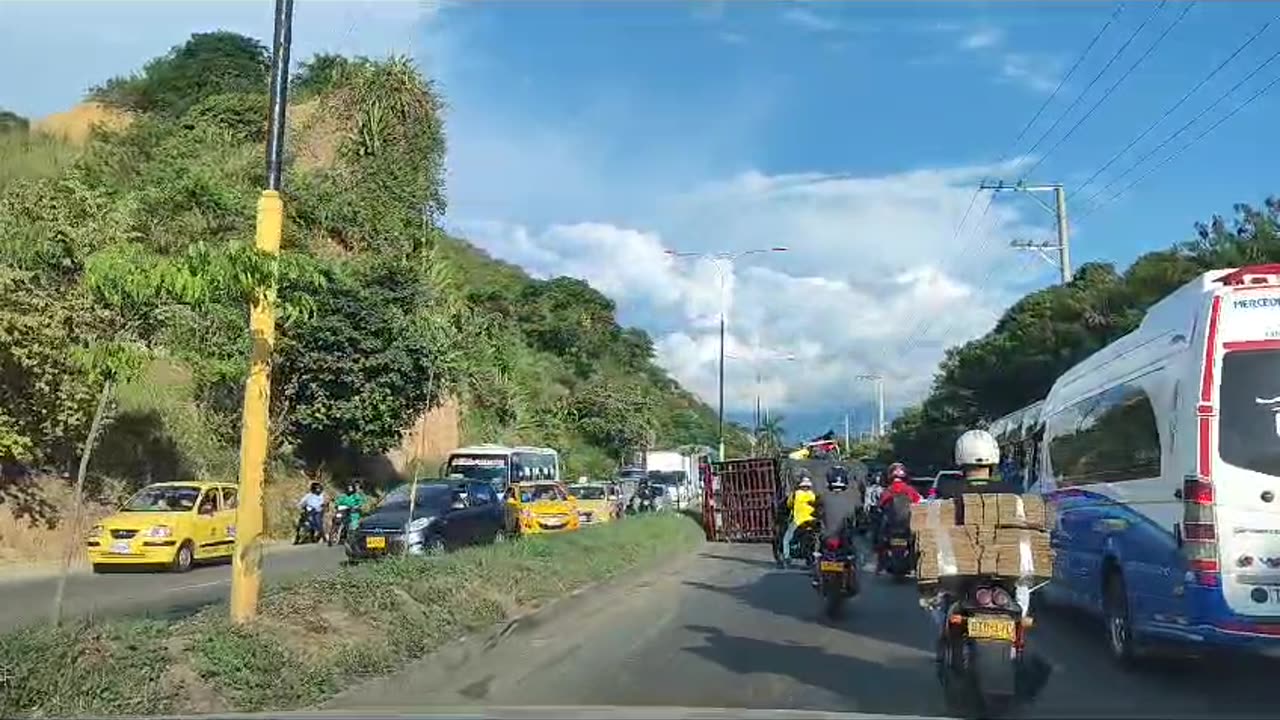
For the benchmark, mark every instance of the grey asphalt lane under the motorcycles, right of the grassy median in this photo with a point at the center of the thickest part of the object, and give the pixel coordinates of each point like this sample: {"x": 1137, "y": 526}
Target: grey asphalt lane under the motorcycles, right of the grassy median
{"x": 726, "y": 630}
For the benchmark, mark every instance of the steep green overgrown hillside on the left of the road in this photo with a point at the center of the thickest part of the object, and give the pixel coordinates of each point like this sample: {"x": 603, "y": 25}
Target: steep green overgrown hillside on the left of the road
{"x": 127, "y": 261}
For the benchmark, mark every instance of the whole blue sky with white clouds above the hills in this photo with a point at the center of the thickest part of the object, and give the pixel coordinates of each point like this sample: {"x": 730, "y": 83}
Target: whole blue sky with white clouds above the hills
{"x": 587, "y": 139}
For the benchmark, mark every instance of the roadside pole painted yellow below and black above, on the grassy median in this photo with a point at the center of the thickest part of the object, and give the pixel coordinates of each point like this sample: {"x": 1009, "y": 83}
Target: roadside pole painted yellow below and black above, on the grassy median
{"x": 255, "y": 423}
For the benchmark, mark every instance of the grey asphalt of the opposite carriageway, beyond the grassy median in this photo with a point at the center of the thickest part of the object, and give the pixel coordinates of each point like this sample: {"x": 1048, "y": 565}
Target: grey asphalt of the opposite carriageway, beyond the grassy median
{"x": 28, "y": 600}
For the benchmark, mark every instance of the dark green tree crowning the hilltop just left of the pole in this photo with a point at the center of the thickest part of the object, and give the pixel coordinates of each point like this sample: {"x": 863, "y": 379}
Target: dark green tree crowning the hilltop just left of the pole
{"x": 208, "y": 65}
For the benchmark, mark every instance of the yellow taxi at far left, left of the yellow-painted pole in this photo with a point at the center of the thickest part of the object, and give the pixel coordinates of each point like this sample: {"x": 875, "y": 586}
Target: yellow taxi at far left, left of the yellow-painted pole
{"x": 171, "y": 525}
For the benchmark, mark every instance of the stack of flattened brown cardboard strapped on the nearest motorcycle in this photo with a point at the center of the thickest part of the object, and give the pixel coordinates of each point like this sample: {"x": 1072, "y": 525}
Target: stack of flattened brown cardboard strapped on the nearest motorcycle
{"x": 982, "y": 535}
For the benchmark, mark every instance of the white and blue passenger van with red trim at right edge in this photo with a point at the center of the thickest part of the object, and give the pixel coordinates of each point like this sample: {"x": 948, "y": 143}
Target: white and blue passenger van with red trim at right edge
{"x": 1162, "y": 461}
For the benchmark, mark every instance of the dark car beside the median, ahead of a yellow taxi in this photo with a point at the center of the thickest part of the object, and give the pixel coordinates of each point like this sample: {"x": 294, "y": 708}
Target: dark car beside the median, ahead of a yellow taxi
{"x": 446, "y": 516}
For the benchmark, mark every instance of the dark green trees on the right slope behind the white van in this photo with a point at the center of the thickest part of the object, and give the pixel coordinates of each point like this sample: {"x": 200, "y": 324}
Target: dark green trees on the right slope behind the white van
{"x": 1048, "y": 332}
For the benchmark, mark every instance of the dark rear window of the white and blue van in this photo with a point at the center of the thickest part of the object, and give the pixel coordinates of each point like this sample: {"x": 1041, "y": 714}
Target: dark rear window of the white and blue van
{"x": 1250, "y": 414}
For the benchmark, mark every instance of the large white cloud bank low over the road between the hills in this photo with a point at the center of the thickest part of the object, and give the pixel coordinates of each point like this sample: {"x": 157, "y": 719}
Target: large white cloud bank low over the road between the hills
{"x": 868, "y": 265}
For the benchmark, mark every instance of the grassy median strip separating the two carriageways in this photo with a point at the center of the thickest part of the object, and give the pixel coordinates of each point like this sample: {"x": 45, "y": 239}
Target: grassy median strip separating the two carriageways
{"x": 316, "y": 636}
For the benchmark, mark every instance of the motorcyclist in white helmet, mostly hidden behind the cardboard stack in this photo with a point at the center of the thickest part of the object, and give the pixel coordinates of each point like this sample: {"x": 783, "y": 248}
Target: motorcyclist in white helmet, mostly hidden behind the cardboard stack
{"x": 977, "y": 454}
